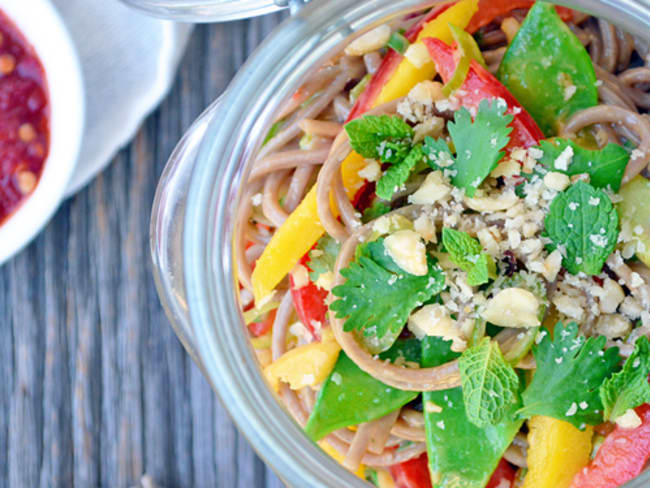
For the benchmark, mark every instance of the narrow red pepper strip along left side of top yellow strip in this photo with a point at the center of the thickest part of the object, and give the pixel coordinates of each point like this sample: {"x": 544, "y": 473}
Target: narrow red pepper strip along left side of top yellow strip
{"x": 388, "y": 65}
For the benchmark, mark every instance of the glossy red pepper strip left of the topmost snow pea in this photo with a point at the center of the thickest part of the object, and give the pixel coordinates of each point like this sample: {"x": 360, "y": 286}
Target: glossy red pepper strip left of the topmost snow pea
{"x": 481, "y": 84}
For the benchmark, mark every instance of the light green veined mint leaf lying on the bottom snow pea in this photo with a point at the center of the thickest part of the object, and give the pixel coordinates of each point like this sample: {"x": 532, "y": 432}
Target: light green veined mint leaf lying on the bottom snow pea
{"x": 489, "y": 383}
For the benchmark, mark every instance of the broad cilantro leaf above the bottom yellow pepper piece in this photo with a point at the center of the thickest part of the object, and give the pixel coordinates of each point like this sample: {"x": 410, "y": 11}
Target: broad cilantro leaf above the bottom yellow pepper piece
{"x": 569, "y": 373}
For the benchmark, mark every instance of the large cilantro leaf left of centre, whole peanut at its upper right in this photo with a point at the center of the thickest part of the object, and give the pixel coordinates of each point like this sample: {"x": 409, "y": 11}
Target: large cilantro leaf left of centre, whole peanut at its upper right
{"x": 379, "y": 296}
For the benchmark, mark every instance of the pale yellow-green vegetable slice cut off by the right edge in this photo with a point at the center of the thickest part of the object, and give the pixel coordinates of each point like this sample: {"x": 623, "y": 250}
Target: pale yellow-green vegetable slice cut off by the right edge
{"x": 635, "y": 215}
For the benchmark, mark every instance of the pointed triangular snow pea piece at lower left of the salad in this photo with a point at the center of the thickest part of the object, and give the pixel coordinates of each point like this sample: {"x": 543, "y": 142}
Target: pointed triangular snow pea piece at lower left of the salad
{"x": 351, "y": 396}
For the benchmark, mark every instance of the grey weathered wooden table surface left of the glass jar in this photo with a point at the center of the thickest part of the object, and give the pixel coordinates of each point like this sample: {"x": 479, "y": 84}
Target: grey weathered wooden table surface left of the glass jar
{"x": 95, "y": 389}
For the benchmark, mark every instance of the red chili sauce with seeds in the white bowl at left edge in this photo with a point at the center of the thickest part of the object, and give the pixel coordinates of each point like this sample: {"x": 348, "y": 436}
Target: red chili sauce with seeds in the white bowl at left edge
{"x": 24, "y": 118}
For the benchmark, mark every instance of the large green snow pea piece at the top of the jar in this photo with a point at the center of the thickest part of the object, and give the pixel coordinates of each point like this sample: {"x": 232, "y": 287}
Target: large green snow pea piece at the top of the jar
{"x": 548, "y": 70}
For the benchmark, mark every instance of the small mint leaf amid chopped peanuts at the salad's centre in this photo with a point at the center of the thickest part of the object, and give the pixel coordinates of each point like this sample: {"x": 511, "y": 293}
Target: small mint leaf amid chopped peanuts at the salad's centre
{"x": 466, "y": 252}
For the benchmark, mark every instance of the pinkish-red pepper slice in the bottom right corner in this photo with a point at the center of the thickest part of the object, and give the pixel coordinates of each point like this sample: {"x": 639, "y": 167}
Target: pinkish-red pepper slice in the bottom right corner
{"x": 621, "y": 457}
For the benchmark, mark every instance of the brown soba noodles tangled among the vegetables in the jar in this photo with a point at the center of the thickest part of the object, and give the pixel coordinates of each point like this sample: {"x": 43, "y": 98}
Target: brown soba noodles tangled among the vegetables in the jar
{"x": 284, "y": 172}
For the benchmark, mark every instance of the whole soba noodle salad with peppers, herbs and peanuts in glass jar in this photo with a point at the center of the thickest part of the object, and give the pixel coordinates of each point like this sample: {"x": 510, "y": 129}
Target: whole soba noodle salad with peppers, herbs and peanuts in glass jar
{"x": 444, "y": 250}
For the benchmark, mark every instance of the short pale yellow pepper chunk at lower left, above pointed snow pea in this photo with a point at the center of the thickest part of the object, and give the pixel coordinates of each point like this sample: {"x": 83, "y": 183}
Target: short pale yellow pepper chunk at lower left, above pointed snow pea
{"x": 305, "y": 365}
